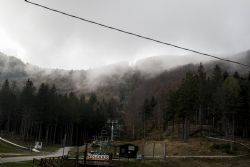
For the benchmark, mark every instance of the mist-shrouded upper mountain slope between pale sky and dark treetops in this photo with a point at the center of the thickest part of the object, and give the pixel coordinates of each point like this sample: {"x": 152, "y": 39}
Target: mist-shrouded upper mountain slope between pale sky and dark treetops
{"x": 155, "y": 73}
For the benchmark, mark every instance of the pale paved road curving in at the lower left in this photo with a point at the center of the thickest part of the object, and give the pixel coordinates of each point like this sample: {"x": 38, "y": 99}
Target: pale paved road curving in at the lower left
{"x": 28, "y": 158}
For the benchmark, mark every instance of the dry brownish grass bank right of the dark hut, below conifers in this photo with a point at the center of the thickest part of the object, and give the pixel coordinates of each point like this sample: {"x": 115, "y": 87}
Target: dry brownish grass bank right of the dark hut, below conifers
{"x": 194, "y": 146}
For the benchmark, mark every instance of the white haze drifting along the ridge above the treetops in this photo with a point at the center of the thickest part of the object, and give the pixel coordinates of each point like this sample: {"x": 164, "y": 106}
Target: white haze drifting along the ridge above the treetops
{"x": 110, "y": 76}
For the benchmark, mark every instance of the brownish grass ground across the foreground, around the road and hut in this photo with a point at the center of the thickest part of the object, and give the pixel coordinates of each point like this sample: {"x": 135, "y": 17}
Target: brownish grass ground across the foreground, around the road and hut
{"x": 195, "y": 146}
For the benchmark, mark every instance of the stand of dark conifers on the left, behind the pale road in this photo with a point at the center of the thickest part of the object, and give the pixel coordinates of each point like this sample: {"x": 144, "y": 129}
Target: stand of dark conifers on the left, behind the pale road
{"x": 44, "y": 114}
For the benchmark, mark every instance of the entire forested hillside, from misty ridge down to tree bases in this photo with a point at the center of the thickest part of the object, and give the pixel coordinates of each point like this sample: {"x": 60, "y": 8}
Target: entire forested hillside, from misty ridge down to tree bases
{"x": 209, "y": 98}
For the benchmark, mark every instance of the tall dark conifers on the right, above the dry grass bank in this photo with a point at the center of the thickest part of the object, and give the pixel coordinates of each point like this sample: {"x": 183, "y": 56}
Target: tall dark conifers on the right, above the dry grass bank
{"x": 216, "y": 103}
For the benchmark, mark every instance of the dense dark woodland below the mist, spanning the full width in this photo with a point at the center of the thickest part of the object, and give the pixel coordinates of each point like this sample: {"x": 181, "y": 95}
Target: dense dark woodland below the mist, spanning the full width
{"x": 190, "y": 102}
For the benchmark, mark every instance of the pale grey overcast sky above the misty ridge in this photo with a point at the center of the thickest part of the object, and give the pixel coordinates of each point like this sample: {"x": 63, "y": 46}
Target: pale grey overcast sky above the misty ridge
{"x": 51, "y": 40}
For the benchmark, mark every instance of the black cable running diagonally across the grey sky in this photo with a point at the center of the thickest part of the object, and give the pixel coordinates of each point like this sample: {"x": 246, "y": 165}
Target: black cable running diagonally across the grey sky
{"x": 137, "y": 35}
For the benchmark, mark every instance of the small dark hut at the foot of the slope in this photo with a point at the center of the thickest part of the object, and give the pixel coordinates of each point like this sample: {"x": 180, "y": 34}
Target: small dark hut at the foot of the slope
{"x": 128, "y": 151}
